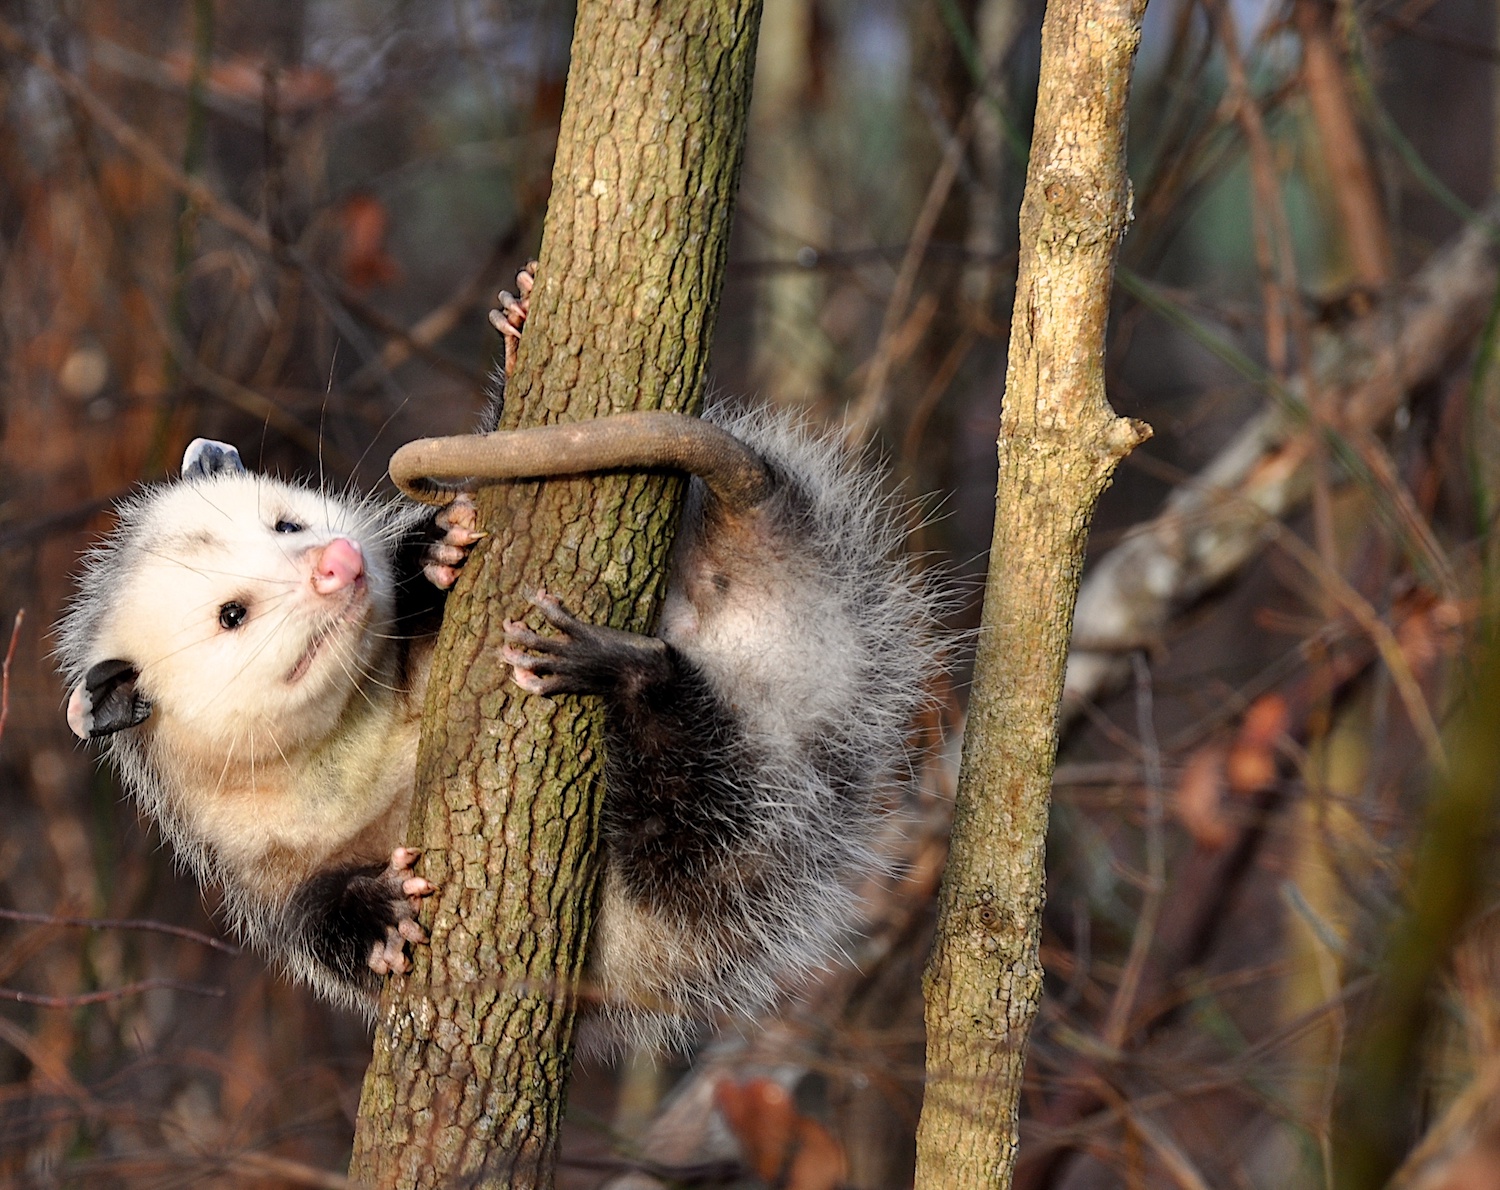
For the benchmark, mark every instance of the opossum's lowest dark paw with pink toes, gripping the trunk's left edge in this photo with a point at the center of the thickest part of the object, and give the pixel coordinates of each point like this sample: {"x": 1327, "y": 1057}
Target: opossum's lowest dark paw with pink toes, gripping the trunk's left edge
{"x": 361, "y": 919}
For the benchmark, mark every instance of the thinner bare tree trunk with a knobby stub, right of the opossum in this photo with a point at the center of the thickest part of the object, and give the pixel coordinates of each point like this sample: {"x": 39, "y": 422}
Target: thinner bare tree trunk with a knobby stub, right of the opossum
{"x": 1060, "y": 445}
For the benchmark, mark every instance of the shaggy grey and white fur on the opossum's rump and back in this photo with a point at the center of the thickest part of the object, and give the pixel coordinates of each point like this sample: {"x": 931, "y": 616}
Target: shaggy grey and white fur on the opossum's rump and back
{"x": 830, "y": 694}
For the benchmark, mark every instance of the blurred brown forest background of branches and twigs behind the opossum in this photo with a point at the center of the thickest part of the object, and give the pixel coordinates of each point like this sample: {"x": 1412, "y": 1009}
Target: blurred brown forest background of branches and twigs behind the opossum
{"x": 283, "y": 226}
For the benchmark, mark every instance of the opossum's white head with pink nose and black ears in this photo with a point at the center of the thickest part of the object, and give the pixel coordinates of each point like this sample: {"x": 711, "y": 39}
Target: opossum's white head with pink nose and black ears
{"x": 226, "y": 606}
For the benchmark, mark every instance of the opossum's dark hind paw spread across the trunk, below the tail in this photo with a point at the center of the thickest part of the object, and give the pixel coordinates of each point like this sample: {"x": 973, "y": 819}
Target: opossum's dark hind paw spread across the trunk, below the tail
{"x": 581, "y": 660}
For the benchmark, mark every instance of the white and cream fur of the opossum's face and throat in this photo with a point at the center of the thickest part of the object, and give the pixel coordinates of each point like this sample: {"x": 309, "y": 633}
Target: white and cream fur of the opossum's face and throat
{"x": 260, "y": 775}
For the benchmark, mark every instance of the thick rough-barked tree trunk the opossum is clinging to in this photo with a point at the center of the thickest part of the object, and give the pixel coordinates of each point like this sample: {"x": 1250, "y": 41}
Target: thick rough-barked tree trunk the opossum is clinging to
{"x": 472, "y": 1054}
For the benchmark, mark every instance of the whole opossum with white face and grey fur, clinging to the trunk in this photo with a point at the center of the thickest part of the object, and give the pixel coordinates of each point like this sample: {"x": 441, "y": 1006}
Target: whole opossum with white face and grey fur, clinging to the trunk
{"x": 254, "y": 655}
